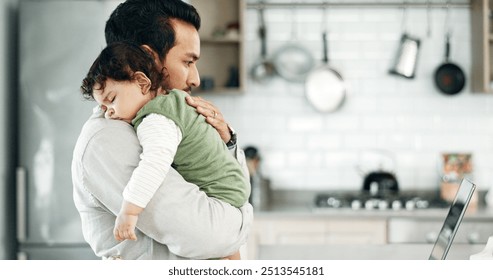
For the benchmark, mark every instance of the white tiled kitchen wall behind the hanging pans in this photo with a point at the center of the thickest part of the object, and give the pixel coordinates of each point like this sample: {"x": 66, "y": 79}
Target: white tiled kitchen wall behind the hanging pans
{"x": 410, "y": 119}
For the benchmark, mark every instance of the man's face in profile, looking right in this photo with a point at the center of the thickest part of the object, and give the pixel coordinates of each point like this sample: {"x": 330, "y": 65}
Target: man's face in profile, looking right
{"x": 180, "y": 62}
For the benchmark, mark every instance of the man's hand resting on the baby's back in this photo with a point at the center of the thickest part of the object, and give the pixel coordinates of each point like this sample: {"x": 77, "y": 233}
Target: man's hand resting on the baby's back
{"x": 212, "y": 115}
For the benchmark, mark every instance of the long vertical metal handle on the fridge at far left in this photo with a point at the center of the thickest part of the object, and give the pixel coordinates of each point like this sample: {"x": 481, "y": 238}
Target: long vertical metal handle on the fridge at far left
{"x": 21, "y": 204}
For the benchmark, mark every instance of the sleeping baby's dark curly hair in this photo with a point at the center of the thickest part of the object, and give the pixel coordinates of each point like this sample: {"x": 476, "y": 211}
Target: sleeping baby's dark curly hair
{"x": 119, "y": 61}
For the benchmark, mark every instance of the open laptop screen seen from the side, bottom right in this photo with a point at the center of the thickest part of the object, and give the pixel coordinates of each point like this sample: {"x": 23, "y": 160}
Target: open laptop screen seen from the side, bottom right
{"x": 453, "y": 220}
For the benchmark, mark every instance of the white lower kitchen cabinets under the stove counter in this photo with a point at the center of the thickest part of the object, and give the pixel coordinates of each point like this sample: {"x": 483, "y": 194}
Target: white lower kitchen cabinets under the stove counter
{"x": 283, "y": 234}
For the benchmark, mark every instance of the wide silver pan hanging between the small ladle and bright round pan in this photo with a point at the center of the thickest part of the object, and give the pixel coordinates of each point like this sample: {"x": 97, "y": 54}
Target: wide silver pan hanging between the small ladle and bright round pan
{"x": 293, "y": 62}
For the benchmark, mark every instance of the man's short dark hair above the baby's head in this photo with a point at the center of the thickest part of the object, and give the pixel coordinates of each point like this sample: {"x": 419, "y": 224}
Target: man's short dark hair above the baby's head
{"x": 147, "y": 22}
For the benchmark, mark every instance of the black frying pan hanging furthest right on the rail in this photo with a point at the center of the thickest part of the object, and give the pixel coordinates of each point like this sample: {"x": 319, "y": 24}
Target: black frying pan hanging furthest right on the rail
{"x": 449, "y": 77}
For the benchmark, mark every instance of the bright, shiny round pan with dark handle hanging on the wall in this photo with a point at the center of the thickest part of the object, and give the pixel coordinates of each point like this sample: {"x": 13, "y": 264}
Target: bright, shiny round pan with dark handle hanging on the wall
{"x": 324, "y": 87}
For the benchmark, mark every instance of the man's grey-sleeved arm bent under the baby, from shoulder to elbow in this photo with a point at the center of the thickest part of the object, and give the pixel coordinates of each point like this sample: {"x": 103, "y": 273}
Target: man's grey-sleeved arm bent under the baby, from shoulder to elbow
{"x": 191, "y": 224}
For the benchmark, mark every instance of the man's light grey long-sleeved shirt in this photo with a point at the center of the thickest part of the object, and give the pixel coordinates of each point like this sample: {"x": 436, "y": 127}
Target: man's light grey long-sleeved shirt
{"x": 179, "y": 222}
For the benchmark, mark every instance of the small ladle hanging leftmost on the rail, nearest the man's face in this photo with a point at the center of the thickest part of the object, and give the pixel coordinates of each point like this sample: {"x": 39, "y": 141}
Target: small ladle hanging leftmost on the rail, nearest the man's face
{"x": 264, "y": 69}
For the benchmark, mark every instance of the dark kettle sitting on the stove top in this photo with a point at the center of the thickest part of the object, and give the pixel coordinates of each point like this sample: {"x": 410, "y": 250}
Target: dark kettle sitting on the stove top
{"x": 380, "y": 183}
